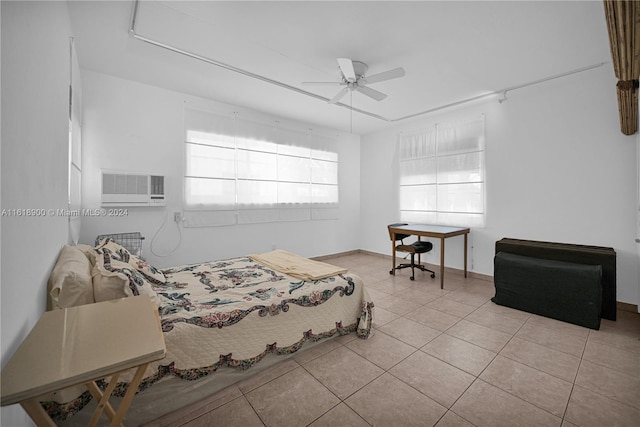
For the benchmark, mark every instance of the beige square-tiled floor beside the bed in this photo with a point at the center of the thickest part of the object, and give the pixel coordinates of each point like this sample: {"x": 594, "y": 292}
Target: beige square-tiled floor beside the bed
{"x": 448, "y": 358}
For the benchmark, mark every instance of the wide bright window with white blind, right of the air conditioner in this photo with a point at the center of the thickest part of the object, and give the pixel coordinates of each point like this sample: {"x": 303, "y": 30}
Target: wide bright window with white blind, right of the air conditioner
{"x": 238, "y": 171}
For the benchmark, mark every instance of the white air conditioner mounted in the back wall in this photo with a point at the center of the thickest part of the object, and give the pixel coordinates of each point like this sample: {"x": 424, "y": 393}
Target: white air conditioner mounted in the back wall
{"x": 131, "y": 189}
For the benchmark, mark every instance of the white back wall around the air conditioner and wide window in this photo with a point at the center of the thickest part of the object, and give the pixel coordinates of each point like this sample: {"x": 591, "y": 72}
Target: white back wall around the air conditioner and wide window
{"x": 135, "y": 127}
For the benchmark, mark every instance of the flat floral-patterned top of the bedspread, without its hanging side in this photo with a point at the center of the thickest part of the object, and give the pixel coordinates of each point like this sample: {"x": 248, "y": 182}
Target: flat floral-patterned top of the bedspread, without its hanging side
{"x": 221, "y": 293}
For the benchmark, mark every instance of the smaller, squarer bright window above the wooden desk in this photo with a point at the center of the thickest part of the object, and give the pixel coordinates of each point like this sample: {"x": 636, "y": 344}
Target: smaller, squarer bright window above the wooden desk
{"x": 442, "y": 174}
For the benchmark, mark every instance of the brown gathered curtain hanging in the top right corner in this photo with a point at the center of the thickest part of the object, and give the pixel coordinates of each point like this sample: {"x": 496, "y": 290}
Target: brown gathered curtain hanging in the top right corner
{"x": 624, "y": 38}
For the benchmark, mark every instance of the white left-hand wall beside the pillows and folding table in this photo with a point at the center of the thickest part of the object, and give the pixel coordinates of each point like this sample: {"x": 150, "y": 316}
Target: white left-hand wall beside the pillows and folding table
{"x": 35, "y": 84}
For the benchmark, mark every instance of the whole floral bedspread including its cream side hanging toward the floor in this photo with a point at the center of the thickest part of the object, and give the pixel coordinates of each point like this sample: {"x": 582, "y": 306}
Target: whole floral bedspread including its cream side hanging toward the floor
{"x": 234, "y": 312}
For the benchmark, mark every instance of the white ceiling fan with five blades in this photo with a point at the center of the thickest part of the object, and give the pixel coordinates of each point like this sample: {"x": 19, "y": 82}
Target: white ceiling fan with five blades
{"x": 353, "y": 77}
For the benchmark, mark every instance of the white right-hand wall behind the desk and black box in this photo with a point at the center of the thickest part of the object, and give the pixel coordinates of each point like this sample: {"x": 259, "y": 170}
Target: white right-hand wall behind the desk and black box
{"x": 558, "y": 169}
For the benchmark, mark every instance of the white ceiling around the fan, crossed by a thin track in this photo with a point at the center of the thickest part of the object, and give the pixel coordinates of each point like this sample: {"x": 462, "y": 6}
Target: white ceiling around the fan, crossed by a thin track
{"x": 450, "y": 50}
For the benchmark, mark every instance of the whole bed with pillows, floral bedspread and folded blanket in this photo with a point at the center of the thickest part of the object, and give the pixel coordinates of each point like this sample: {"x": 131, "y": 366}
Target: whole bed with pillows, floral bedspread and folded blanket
{"x": 229, "y": 313}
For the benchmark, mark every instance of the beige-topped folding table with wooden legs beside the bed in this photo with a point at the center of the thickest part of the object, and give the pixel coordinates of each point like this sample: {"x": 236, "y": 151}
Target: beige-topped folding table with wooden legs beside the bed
{"x": 80, "y": 345}
